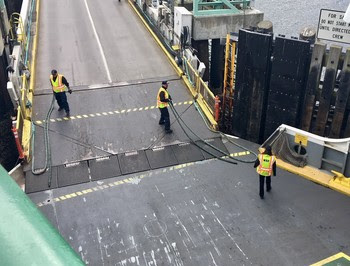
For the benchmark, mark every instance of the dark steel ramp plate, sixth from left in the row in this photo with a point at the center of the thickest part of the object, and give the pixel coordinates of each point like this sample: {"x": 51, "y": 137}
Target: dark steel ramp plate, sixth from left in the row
{"x": 187, "y": 152}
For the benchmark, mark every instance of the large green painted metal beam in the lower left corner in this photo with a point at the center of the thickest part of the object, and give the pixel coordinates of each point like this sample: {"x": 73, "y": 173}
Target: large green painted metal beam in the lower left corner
{"x": 26, "y": 236}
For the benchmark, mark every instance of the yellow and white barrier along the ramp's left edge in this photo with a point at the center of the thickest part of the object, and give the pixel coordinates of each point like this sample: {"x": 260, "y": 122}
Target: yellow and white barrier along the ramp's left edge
{"x": 20, "y": 90}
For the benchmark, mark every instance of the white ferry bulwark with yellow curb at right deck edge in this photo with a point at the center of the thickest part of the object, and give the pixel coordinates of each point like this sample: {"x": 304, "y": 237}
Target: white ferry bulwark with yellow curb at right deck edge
{"x": 300, "y": 148}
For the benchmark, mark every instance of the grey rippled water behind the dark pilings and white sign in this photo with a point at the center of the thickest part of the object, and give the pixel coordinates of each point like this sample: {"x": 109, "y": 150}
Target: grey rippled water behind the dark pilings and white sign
{"x": 290, "y": 16}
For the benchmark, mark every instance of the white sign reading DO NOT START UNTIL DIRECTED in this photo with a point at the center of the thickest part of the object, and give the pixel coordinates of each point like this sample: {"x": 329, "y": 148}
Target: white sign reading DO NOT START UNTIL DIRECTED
{"x": 332, "y": 27}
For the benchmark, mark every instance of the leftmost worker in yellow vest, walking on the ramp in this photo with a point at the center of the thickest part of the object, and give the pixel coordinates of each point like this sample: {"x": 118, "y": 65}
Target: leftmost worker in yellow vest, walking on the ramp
{"x": 59, "y": 86}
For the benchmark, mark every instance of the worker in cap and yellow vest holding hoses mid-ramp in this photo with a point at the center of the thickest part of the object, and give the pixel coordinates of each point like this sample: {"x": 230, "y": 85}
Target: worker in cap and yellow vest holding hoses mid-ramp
{"x": 163, "y": 100}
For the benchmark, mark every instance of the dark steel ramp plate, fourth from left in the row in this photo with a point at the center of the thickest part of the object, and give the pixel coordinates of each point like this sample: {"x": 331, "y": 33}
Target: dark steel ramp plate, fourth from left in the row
{"x": 132, "y": 162}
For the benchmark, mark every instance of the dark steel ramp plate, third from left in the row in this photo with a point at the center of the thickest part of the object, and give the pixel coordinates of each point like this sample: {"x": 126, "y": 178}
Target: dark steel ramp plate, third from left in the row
{"x": 105, "y": 167}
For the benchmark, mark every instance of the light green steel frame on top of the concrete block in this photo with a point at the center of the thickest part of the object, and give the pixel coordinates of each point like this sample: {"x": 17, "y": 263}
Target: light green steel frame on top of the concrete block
{"x": 219, "y": 7}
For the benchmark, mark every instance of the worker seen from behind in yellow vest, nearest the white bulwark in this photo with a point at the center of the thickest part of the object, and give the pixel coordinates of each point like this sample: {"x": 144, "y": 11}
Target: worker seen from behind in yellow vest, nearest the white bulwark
{"x": 265, "y": 165}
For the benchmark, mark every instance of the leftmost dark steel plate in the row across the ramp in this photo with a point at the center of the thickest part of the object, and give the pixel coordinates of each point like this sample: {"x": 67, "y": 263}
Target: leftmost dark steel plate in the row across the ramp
{"x": 35, "y": 183}
